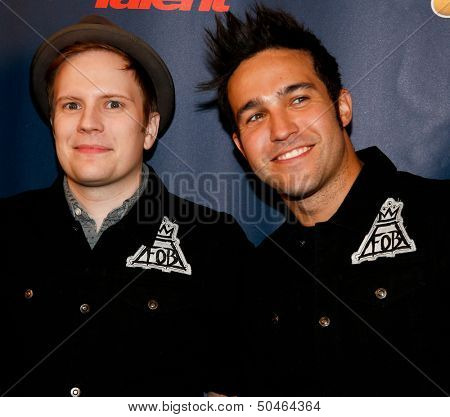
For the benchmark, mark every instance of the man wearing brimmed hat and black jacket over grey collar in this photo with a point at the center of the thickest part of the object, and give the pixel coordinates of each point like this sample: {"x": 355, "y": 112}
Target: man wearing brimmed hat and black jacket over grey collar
{"x": 114, "y": 286}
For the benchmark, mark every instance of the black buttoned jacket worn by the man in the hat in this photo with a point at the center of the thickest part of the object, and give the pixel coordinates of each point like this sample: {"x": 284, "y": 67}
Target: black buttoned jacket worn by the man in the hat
{"x": 151, "y": 310}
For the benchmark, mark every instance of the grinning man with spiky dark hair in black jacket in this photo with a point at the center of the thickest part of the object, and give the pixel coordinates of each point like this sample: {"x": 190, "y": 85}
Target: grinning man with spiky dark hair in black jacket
{"x": 352, "y": 297}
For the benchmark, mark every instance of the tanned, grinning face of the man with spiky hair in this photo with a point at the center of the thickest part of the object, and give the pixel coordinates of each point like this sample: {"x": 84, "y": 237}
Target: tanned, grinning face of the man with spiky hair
{"x": 287, "y": 124}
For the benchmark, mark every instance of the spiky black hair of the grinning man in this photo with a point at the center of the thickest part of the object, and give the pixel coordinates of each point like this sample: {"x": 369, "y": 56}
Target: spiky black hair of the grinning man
{"x": 236, "y": 40}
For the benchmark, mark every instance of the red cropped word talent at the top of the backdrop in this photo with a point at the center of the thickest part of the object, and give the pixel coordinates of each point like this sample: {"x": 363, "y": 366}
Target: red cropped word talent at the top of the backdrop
{"x": 182, "y": 5}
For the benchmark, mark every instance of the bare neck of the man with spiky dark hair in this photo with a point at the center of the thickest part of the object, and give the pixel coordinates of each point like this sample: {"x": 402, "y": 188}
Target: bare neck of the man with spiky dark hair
{"x": 323, "y": 204}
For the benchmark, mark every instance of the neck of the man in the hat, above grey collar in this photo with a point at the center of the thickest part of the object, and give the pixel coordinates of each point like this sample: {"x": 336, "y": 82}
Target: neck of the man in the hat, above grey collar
{"x": 99, "y": 201}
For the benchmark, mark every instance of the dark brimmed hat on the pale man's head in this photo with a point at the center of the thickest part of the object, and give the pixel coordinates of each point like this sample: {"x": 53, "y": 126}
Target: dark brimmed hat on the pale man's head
{"x": 99, "y": 29}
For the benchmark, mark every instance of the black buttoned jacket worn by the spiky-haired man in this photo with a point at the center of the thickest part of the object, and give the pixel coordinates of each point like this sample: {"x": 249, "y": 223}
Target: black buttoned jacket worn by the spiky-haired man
{"x": 360, "y": 301}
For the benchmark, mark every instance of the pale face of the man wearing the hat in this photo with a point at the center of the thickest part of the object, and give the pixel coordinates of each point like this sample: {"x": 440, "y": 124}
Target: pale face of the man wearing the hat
{"x": 98, "y": 120}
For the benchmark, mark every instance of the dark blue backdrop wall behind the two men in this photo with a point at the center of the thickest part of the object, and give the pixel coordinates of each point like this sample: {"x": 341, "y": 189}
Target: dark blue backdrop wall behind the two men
{"x": 394, "y": 57}
